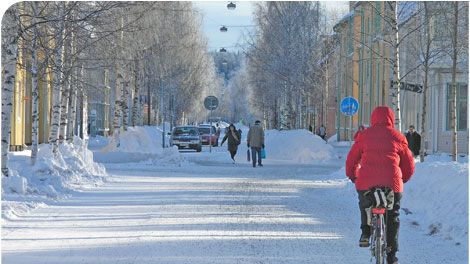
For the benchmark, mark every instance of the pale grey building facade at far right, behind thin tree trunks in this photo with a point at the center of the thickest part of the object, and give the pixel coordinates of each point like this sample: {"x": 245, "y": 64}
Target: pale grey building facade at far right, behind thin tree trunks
{"x": 437, "y": 130}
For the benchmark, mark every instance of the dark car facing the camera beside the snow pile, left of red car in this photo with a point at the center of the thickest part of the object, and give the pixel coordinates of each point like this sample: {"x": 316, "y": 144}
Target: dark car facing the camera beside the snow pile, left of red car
{"x": 186, "y": 137}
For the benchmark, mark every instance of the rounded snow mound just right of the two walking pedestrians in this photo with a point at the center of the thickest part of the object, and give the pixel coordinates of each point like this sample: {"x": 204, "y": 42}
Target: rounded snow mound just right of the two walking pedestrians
{"x": 300, "y": 146}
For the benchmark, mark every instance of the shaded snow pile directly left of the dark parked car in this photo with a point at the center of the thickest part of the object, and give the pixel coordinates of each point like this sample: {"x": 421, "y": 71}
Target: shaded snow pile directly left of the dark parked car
{"x": 139, "y": 144}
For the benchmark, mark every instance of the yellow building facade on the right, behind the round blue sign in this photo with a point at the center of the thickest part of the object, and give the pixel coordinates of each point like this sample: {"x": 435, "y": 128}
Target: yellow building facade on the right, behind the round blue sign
{"x": 363, "y": 66}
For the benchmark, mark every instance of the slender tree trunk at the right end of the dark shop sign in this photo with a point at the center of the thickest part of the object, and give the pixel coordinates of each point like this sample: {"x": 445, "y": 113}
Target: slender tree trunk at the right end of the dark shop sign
{"x": 425, "y": 83}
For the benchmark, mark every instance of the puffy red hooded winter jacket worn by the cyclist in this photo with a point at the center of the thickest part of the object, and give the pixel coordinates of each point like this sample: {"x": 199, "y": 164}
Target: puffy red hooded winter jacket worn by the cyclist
{"x": 380, "y": 154}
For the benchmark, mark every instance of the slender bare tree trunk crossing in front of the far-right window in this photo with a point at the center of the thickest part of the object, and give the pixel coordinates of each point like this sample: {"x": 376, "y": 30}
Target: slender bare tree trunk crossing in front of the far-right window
{"x": 453, "y": 88}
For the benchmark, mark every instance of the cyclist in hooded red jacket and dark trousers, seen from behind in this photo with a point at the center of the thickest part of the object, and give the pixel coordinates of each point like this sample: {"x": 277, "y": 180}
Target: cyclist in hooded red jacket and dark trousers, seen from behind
{"x": 380, "y": 157}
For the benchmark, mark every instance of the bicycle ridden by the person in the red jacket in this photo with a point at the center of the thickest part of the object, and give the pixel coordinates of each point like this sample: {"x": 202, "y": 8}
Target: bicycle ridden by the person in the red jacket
{"x": 383, "y": 201}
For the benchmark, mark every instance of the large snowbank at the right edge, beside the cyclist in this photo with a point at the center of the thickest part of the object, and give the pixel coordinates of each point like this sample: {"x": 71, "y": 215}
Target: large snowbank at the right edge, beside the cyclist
{"x": 437, "y": 198}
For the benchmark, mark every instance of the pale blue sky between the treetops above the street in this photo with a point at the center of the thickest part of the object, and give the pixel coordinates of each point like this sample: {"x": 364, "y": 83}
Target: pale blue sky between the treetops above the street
{"x": 216, "y": 14}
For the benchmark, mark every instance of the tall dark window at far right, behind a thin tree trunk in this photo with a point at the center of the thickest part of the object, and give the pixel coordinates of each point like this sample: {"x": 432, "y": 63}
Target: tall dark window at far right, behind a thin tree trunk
{"x": 461, "y": 106}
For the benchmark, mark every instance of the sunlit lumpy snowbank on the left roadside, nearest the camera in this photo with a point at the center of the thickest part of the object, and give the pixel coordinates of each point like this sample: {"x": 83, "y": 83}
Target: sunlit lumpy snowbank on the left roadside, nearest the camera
{"x": 52, "y": 176}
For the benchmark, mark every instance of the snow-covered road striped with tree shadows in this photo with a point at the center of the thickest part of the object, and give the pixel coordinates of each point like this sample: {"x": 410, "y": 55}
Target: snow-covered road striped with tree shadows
{"x": 209, "y": 212}
